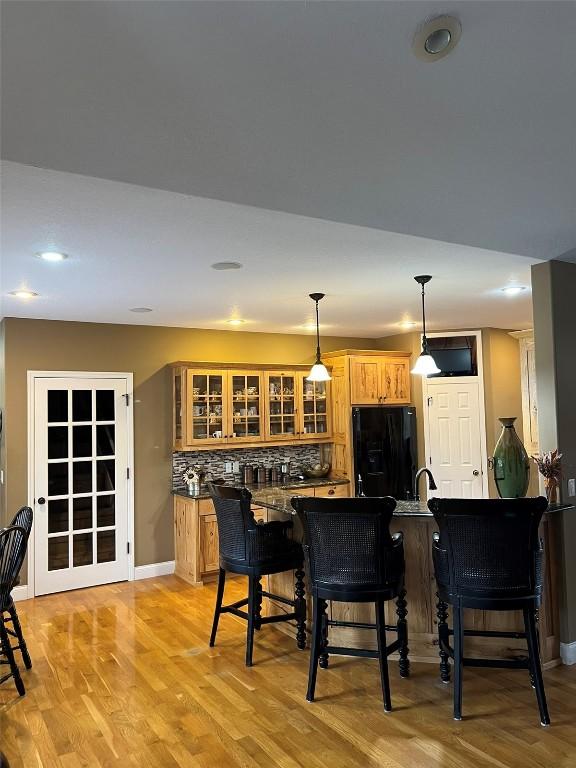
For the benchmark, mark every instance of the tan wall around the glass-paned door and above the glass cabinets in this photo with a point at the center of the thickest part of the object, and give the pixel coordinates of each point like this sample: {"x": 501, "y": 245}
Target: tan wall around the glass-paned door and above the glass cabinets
{"x": 145, "y": 351}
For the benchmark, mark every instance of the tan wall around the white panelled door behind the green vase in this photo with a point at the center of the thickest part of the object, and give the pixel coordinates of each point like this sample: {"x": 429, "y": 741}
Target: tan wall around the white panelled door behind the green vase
{"x": 502, "y": 387}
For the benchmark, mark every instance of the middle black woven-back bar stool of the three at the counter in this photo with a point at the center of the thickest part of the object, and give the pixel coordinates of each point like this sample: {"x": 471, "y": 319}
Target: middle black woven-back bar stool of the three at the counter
{"x": 352, "y": 557}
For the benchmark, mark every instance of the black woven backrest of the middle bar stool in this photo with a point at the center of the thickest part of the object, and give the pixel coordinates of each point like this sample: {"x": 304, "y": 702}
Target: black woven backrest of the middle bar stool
{"x": 347, "y": 541}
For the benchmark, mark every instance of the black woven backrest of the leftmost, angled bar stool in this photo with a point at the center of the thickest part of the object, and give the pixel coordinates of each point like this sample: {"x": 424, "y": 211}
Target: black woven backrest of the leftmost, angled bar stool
{"x": 234, "y": 516}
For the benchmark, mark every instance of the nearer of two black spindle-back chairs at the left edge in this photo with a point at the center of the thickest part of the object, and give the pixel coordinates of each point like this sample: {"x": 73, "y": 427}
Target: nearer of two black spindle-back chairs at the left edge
{"x": 13, "y": 541}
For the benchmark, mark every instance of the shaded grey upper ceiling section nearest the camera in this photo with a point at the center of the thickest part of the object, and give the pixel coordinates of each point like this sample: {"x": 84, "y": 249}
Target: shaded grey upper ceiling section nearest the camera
{"x": 313, "y": 108}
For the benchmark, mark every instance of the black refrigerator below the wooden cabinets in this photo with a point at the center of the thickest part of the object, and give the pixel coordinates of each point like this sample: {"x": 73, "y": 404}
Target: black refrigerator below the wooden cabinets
{"x": 385, "y": 450}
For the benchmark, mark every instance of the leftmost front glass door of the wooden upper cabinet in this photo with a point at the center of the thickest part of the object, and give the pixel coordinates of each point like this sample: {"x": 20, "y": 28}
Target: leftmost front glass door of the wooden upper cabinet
{"x": 206, "y": 404}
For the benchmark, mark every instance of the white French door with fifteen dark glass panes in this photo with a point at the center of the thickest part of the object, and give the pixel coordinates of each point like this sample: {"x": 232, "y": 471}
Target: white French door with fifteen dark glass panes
{"x": 81, "y": 460}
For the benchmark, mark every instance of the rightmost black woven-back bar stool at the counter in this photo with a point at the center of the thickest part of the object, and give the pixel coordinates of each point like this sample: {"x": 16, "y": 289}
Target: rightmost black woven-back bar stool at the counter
{"x": 488, "y": 556}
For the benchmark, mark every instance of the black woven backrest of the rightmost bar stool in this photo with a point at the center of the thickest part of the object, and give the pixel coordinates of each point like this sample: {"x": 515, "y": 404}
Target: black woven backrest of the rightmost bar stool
{"x": 489, "y": 546}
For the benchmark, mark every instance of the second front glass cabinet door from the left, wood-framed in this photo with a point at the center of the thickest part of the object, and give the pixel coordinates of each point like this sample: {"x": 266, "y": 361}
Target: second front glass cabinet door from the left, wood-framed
{"x": 247, "y": 412}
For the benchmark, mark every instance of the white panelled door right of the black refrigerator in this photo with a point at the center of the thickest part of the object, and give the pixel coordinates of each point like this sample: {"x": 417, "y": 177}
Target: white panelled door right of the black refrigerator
{"x": 455, "y": 445}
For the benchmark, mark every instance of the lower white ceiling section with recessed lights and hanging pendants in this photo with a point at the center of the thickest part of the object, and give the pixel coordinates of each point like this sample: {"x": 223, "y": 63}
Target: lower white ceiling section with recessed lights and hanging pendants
{"x": 132, "y": 246}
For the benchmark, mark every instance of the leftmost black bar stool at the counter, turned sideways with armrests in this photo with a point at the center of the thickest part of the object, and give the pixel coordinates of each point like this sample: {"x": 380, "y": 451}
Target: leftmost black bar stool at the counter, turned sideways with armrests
{"x": 255, "y": 550}
